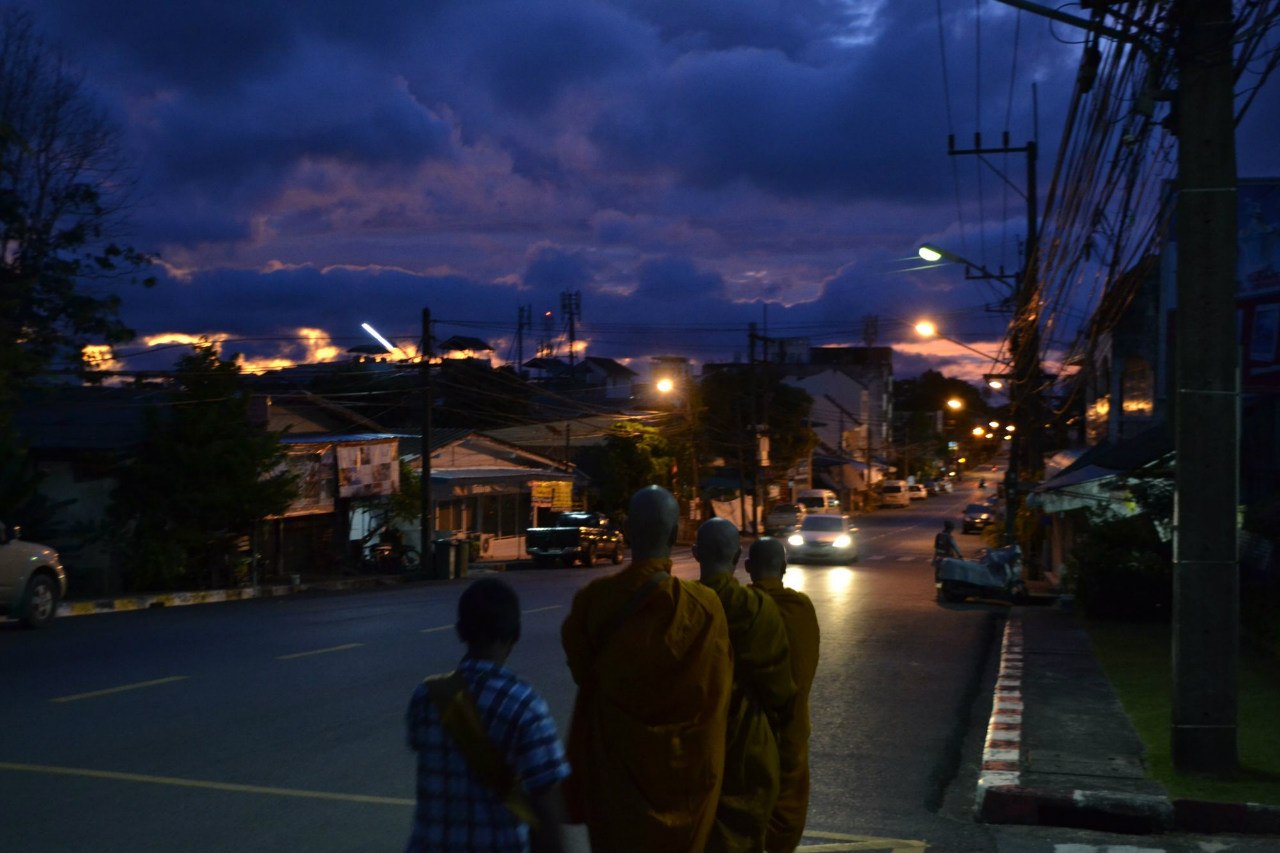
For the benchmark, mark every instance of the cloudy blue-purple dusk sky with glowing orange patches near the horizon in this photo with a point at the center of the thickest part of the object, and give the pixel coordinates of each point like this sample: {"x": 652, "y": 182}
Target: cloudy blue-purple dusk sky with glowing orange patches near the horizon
{"x": 688, "y": 166}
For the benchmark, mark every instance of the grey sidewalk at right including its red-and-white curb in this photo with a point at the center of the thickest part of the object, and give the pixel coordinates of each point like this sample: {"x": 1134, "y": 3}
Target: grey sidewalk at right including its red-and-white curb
{"x": 1062, "y": 752}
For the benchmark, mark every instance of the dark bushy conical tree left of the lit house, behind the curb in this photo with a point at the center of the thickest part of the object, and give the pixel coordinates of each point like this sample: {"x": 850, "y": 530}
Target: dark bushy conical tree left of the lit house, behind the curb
{"x": 204, "y": 477}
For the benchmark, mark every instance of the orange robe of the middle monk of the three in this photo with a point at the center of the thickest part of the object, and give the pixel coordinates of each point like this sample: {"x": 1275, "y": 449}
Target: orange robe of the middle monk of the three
{"x": 764, "y": 694}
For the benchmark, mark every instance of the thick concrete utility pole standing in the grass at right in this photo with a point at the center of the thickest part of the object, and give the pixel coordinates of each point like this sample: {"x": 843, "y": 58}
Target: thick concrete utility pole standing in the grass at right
{"x": 1206, "y": 577}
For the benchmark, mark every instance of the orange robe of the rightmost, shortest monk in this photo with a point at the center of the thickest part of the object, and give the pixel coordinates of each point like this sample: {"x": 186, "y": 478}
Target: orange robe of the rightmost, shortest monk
{"x": 787, "y": 825}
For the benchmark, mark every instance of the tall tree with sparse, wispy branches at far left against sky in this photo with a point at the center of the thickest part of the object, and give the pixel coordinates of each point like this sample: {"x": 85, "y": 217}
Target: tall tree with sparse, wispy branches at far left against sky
{"x": 61, "y": 206}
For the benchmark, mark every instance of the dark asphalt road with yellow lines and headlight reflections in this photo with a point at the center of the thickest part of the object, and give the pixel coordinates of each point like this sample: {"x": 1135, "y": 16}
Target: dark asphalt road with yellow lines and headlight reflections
{"x": 277, "y": 726}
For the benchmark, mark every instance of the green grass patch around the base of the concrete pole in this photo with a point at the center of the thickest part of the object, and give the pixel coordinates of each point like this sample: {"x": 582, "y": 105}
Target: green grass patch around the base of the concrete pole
{"x": 1137, "y": 660}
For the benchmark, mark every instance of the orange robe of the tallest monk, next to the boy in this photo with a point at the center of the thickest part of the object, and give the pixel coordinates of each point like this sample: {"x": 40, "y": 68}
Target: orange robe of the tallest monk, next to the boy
{"x": 647, "y": 742}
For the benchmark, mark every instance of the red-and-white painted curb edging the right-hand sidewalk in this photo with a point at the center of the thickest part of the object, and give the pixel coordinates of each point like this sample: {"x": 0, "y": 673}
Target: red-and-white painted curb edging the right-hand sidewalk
{"x": 1003, "y": 800}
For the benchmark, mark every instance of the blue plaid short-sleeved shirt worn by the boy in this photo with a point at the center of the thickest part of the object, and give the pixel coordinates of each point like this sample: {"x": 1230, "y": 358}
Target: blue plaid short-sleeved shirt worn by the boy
{"x": 458, "y": 813}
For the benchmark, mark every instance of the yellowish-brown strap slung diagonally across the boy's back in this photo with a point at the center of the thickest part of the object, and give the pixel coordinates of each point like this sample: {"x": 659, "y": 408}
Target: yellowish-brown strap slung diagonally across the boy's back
{"x": 461, "y": 720}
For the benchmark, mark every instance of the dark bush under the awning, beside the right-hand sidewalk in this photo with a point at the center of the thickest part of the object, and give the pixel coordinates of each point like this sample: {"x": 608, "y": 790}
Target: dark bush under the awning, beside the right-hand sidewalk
{"x": 1121, "y": 569}
